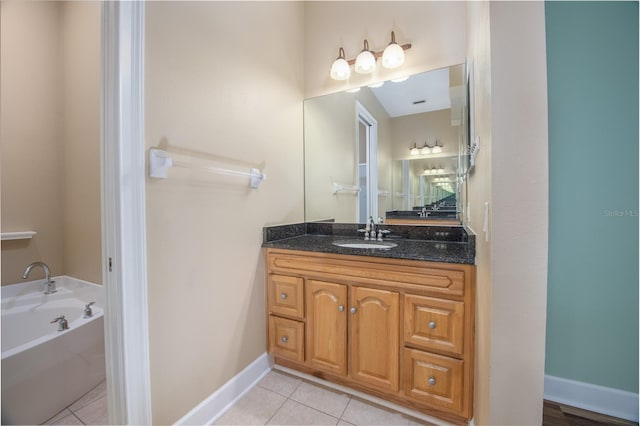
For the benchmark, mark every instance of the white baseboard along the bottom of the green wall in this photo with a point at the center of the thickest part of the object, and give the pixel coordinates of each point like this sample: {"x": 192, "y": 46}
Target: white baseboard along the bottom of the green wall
{"x": 600, "y": 399}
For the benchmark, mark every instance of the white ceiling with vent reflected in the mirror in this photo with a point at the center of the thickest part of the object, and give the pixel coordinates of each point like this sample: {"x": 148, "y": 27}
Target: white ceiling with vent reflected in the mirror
{"x": 432, "y": 87}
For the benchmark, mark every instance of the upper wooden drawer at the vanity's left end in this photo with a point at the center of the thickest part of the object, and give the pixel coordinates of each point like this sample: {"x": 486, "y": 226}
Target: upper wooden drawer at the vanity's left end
{"x": 286, "y": 295}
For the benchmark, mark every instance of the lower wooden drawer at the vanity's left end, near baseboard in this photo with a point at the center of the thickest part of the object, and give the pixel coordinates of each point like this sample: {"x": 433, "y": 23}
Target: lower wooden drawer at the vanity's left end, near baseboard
{"x": 286, "y": 338}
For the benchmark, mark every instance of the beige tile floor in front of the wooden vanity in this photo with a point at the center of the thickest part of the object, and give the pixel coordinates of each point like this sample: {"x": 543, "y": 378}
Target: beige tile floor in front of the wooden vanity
{"x": 281, "y": 399}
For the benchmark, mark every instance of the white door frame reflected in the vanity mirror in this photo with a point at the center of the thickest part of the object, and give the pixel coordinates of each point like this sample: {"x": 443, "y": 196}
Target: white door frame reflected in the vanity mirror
{"x": 364, "y": 116}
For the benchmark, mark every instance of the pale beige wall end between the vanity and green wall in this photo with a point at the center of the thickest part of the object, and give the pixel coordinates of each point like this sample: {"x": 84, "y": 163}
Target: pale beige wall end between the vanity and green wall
{"x": 507, "y": 42}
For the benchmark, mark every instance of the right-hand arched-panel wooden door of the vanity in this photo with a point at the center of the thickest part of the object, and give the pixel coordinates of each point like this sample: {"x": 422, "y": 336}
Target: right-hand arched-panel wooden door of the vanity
{"x": 374, "y": 337}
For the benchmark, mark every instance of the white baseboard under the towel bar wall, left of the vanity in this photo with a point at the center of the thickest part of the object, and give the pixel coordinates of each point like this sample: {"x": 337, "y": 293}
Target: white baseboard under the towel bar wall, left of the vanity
{"x": 209, "y": 410}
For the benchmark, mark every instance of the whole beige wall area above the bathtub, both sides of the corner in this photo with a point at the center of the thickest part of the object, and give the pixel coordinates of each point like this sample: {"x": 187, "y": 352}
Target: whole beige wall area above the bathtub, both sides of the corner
{"x": 51, "y": 137}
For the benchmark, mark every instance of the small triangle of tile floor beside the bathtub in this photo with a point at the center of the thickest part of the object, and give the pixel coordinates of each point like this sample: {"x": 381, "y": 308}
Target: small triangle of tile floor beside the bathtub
{"x": 90, "y": 409}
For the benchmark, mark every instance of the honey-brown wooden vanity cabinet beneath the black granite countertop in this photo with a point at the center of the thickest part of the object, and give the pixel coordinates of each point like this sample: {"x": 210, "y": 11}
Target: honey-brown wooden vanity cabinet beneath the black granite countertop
{"x": 447, "y": 292}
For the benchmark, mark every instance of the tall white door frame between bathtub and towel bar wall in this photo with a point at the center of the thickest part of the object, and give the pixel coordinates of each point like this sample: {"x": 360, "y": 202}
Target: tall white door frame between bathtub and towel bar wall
{"x": 124, "y": 273}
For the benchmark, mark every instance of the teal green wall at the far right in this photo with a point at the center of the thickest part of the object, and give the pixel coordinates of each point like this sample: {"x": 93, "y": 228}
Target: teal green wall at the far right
{"x": 592, "y": 309}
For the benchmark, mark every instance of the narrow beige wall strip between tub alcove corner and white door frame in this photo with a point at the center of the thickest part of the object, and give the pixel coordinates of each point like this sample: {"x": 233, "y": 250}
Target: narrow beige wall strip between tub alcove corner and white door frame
{"x": 81, "y": 135}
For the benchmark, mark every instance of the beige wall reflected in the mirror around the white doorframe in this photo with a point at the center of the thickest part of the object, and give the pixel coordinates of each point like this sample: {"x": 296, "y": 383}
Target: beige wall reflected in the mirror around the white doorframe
{"x": 330, "y": 154}
